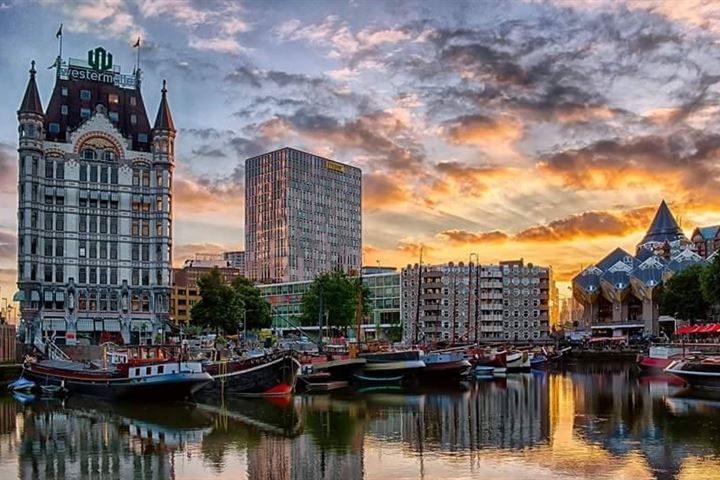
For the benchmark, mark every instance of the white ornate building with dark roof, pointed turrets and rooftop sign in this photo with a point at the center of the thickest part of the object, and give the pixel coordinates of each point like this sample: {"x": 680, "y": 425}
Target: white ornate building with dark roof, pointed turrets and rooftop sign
{"x": 95, "y": 207}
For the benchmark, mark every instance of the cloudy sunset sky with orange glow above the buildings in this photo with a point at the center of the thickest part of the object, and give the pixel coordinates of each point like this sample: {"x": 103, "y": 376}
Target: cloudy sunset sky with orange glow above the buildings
{"x": 548, "y": 131}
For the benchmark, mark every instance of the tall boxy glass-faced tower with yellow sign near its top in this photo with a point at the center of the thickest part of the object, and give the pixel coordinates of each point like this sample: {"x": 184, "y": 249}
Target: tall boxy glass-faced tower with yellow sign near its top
{"x": 302, "y": 216}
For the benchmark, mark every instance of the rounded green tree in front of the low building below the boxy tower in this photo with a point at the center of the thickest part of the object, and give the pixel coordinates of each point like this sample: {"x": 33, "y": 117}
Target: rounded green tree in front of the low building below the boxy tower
{"x": 339, "y": 294}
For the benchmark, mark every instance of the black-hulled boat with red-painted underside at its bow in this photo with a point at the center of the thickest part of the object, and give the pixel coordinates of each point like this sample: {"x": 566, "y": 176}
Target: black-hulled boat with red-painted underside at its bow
{"x": 269, "y": 375}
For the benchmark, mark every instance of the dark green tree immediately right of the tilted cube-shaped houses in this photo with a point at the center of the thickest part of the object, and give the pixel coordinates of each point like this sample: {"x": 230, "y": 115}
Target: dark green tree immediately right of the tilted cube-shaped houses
{"x": 682, "y": 296}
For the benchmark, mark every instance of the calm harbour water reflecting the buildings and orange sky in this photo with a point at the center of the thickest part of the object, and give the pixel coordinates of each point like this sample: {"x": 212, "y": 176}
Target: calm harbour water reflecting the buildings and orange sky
{"x": 598, "y": 421}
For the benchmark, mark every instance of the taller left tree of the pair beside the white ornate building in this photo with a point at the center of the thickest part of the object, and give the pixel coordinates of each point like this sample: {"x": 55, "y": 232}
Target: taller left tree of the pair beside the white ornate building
{"x": 219, "y": 307}
